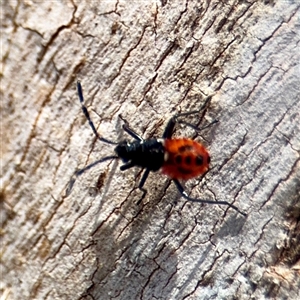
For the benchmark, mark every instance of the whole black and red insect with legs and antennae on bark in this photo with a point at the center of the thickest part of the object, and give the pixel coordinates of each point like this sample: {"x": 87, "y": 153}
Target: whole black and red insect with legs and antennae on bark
{"x": 178, "y": 158}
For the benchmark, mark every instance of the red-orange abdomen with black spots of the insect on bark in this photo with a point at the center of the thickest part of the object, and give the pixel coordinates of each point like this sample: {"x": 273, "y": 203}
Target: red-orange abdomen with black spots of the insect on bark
{"x": 184, "y": 159}
